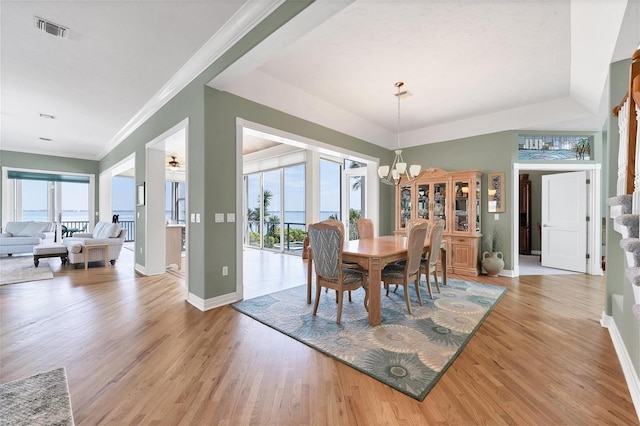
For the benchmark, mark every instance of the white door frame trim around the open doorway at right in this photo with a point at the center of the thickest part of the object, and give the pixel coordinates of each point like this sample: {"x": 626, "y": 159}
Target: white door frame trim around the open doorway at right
{"x": 594, "y": 266}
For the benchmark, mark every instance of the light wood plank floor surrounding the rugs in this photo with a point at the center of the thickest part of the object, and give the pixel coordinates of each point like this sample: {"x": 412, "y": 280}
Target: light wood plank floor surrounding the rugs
{"x": 136, "y": 353}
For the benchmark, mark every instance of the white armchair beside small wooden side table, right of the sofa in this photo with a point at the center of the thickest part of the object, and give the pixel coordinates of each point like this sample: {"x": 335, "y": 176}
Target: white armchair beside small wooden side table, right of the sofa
{"x": 111, "y": 234}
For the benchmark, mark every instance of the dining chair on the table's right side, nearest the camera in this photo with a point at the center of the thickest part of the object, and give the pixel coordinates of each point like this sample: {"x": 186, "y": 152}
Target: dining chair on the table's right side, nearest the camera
{"x": 409, "y": 272}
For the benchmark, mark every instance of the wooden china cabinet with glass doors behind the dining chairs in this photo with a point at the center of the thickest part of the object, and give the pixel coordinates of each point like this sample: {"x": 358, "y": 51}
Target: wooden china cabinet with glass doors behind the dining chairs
{"x": 454, "y": 197}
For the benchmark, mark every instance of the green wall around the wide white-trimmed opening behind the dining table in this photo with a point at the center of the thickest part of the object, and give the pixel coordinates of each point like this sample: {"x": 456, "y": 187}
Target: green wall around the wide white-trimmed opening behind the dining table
{"x": 222, "y": 109}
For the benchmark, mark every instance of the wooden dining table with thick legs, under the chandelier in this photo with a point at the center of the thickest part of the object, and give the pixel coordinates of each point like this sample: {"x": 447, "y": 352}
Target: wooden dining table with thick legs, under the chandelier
{"x": 371, "y": 254}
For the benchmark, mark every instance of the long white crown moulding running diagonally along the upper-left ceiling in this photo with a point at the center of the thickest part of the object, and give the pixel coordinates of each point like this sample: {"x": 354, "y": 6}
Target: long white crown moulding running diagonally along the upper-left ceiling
{"x": 243, "y": 21}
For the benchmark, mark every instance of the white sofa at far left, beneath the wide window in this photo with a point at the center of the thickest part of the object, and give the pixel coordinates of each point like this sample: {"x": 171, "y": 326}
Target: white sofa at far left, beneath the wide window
{"x": 21, "y": 237}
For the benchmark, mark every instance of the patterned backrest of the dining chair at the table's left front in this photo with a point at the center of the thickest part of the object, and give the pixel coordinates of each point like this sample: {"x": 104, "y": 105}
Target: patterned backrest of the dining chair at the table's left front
{"x": 326, "y": 241}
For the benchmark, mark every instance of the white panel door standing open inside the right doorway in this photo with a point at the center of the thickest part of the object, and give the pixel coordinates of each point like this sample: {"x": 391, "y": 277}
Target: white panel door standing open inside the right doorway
{"x": 564, "y": 221}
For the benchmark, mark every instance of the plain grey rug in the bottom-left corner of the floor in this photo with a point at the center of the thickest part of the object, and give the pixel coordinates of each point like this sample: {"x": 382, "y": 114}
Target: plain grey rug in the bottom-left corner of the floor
{"x": 42, "y": 399}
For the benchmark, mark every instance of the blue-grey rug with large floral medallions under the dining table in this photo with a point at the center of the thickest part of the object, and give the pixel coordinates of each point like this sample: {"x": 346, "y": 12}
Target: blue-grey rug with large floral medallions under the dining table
{"x": 407, "y": 352}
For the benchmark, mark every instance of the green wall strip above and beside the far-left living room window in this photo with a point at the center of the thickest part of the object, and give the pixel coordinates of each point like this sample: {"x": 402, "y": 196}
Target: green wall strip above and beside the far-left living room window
{"x": 49, "y": 163}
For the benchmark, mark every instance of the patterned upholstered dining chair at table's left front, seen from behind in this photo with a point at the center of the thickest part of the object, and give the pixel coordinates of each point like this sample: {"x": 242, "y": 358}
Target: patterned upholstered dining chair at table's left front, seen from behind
{"x": 327, "y": 242}
